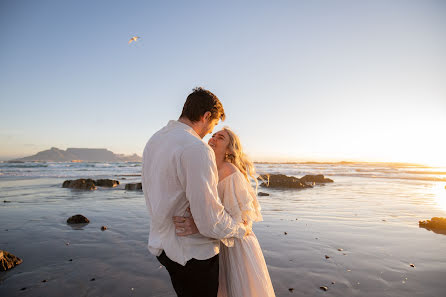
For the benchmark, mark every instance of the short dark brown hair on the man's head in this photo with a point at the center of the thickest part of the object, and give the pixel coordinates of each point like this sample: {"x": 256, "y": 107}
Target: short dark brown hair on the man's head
{"x": 201, "y": 101}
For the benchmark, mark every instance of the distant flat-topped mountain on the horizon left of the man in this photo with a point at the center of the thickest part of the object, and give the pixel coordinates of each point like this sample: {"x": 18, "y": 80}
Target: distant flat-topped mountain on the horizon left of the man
{"x": 80, "y": 154}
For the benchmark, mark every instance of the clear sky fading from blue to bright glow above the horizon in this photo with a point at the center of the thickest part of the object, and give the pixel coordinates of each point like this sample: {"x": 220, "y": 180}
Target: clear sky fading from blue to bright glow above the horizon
{"x": 299, "y": 80}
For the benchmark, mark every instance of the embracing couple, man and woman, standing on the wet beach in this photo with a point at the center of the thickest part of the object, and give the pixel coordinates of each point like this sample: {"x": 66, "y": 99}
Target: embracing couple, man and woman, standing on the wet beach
{"x": 202, "y": 205}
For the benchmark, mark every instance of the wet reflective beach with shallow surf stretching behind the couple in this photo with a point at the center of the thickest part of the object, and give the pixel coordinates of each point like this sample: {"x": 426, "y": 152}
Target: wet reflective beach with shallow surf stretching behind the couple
{"x": 357, "y": 236}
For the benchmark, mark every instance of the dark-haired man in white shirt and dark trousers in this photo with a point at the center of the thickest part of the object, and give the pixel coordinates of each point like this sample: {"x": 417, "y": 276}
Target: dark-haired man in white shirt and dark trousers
{"x": 179, "y": 172}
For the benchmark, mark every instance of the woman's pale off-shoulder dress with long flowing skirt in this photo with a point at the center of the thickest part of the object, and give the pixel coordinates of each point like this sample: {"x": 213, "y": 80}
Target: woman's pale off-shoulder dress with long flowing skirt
{"x": 243, "y": 271}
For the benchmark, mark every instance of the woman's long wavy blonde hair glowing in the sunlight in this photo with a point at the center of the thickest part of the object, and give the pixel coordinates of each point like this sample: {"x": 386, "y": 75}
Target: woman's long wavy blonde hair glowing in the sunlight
{"x": 237, "y": 157}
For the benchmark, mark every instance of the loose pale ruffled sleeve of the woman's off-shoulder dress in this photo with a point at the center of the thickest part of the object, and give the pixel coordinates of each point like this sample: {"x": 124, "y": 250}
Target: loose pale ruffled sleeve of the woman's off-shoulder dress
{"x": 244, "y": 206}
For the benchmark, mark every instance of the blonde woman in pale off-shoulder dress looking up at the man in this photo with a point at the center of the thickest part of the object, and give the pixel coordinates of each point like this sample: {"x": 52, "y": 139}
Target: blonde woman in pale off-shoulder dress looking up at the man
{"x": 242, "y": 269}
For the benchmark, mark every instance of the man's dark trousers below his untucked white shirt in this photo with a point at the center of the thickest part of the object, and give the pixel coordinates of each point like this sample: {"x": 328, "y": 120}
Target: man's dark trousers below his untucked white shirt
{"x": 198, "y": 278}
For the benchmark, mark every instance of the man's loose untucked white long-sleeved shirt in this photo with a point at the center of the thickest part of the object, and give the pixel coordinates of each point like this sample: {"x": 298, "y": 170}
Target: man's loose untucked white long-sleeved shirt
{"x": 178, "y": 172}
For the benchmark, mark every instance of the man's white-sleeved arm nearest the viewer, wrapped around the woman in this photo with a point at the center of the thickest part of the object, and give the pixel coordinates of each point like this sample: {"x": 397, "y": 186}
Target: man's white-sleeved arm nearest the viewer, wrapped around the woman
{"x": 198, "y": 175}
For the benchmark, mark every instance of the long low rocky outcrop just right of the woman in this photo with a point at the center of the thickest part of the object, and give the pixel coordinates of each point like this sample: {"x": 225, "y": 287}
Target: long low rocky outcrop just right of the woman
{"x": 291, "y": 182}
